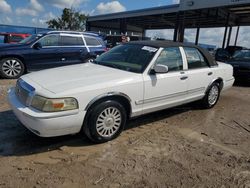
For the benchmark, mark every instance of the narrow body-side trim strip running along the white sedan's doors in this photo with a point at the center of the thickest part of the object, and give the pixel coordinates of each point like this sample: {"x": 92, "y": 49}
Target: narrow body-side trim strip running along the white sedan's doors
{"x": 155, "y": 99}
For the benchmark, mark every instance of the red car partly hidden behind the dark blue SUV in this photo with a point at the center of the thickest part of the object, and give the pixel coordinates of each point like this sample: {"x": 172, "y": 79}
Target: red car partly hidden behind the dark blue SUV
{"x": 12, "y": 37}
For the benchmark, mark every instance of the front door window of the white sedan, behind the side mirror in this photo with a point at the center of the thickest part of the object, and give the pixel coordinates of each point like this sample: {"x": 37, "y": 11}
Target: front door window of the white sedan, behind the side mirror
{"x": 172, "y": 58}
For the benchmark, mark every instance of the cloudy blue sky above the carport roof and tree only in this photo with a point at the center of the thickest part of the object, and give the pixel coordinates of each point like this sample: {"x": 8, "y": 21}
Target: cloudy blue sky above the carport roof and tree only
{"x": 37, "y": 12}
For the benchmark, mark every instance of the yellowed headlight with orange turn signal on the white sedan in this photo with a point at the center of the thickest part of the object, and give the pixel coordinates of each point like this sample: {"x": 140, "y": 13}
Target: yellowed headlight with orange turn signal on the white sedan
{"x": 54, "y": 105}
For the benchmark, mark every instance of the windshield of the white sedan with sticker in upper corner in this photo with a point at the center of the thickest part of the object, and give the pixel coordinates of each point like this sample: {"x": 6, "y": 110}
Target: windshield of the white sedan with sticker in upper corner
{"x": 128, "y": 57}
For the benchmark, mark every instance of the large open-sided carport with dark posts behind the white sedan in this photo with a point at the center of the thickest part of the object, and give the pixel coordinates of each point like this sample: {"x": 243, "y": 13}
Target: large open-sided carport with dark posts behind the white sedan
{"x": 195, "y": 14}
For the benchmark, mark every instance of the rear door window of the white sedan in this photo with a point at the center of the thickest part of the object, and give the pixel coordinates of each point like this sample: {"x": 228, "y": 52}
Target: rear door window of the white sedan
{"x": 195, "y": 58}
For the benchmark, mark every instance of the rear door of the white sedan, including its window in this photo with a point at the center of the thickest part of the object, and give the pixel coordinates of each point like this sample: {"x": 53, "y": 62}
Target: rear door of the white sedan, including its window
{"x": 200, "y": 75}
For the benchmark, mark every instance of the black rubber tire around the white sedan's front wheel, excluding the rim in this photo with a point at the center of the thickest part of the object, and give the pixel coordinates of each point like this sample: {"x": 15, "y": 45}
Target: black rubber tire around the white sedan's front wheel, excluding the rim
{"x": 95, "y": 112}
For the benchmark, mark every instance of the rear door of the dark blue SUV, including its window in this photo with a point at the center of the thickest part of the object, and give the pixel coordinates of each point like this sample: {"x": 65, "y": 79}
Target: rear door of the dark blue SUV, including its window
{"x": 72, "y": 49}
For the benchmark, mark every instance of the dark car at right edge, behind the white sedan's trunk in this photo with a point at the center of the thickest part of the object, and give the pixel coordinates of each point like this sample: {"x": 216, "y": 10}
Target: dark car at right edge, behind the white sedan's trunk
{"x": 241, "y": 64}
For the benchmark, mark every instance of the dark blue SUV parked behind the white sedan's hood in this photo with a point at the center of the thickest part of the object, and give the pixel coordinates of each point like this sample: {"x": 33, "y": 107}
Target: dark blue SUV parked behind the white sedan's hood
{"x": 52, "y": 49}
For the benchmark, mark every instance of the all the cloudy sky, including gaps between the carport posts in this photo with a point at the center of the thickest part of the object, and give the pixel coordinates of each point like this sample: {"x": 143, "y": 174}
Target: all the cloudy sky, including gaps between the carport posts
{"x": 35, "y": 13}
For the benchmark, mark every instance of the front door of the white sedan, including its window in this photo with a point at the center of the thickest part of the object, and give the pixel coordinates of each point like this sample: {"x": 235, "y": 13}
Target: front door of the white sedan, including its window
{"x": 169, "y": 89}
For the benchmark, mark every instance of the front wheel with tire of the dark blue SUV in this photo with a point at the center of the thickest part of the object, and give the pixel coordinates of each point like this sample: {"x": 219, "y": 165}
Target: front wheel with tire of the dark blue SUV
{"x": 11, "y": 68}
